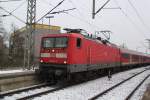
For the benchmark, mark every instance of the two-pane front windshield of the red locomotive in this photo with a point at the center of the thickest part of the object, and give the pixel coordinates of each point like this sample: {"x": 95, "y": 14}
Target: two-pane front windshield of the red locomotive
{"x": 54, "y": 42}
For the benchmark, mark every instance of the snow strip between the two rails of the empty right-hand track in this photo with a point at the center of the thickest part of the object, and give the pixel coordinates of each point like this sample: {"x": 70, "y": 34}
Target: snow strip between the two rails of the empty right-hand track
{"x": 121, "y": 92}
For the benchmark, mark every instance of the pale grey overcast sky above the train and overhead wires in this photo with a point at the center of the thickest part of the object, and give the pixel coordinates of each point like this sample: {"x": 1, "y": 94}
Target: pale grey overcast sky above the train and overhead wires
{"x": 129, "y": 25}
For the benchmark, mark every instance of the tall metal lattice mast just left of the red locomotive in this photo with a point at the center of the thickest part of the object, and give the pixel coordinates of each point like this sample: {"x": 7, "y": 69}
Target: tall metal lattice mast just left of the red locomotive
{"x": 29, "y": 36}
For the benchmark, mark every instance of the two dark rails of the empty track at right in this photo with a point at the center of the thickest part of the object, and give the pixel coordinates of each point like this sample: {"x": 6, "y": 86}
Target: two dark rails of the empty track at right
{"x": 120, "y": 83}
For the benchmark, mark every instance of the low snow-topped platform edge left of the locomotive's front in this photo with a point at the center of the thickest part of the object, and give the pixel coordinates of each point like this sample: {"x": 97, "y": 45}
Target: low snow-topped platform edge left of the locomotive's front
{"x": 13, "y": 79}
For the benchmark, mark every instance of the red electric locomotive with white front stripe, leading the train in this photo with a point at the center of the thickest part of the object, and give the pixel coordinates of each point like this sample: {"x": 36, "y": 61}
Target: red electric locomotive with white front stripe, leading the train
{"x": 65, "y": 55}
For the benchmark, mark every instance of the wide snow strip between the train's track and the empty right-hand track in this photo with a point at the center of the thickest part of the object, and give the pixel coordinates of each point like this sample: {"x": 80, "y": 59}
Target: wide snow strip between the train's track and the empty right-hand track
{"x": 89, "y": 89}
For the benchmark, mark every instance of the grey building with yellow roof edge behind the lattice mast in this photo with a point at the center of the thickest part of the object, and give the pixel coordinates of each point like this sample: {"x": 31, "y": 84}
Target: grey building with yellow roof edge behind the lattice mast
{"x": 17, "y": 41}
